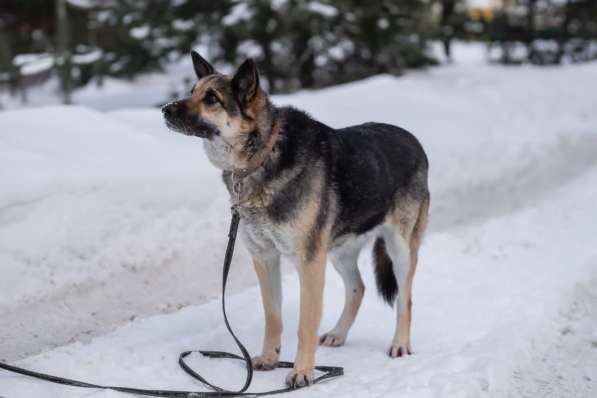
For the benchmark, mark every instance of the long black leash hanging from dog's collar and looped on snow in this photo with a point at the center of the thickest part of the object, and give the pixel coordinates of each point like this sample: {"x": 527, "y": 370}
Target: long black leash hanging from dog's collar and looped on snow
{"x": 328, "y": 371}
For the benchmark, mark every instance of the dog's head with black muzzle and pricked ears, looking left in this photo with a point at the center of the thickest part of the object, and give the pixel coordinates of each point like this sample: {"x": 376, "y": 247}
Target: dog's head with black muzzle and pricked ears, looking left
{"x": 232, "y": 113}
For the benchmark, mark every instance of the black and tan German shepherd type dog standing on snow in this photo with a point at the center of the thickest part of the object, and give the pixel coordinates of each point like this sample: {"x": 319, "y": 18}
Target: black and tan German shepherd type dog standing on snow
{"x": 311, "y": 193}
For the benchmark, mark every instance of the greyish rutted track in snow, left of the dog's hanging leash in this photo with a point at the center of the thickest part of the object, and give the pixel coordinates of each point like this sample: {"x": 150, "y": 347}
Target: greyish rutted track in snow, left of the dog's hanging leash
{"x": 82, "y": 310}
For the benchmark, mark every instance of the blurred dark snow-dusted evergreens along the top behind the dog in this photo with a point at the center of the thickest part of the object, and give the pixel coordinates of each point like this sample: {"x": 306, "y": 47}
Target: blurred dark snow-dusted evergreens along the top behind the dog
{"x": 297, "y": 44}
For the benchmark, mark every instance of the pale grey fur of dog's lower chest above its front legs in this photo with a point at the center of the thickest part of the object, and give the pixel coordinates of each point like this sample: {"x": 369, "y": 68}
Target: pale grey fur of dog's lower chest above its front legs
{"x": 261, "y": 234}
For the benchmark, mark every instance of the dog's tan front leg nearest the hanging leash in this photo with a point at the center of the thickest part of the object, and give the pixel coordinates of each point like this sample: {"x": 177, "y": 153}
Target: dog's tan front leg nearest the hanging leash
{"x": 267, "y": 268}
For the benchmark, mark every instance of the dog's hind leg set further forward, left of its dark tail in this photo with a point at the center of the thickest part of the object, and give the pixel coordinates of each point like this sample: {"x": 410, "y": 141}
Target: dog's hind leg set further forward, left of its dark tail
{"x": 345, "y": 262}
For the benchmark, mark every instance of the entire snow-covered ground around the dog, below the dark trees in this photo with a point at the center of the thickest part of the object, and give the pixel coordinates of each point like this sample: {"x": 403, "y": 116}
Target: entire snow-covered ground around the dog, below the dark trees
{"x": 107, "y": 218}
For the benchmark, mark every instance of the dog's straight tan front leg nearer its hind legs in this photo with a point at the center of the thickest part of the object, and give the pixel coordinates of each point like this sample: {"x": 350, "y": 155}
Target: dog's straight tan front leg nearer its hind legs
{"x": 311, "y": 273}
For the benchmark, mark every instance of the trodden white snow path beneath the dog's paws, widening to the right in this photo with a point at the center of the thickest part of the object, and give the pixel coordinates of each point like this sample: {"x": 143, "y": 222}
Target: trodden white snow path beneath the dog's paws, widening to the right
{"x": 488, "y": 301}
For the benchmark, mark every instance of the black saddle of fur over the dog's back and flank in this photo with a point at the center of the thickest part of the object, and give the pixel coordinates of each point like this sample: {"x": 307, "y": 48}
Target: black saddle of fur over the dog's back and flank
{"x": 374, "y": 166}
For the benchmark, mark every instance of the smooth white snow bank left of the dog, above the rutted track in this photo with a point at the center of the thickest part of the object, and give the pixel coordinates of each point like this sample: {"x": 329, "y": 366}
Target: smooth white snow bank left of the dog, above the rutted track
{"x": 86, "y": 195}
